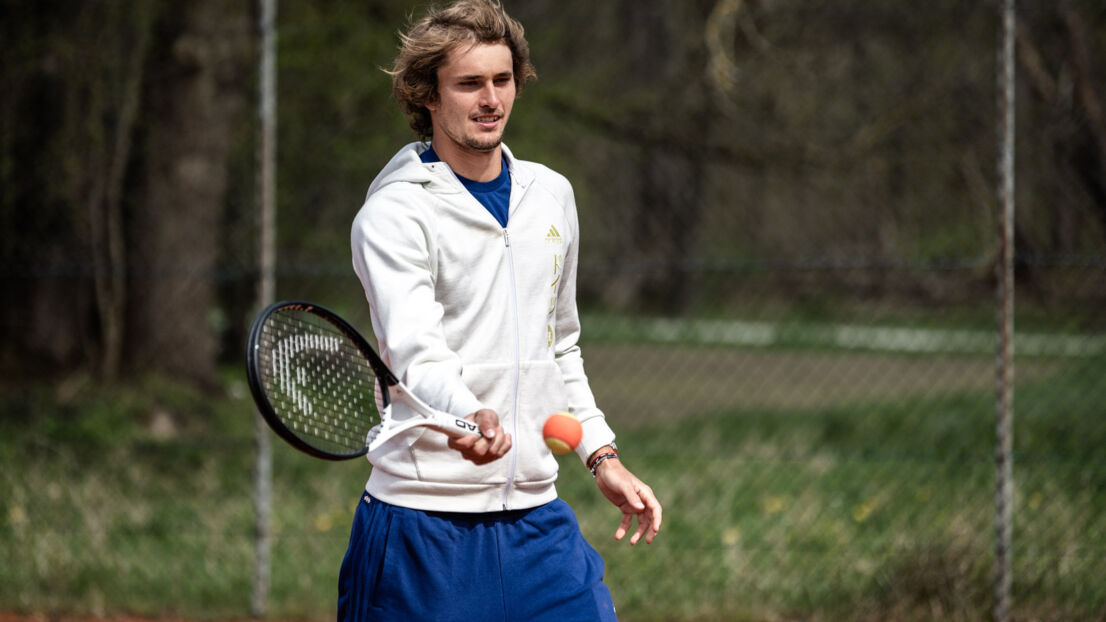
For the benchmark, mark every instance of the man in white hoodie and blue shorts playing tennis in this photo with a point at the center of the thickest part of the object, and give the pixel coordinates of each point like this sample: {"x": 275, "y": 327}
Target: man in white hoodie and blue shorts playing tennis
{"x": 468, "y": 260}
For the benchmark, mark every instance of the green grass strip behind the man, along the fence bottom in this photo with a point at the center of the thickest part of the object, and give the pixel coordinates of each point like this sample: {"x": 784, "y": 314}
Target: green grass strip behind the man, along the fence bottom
{"x": 139, "y": 501}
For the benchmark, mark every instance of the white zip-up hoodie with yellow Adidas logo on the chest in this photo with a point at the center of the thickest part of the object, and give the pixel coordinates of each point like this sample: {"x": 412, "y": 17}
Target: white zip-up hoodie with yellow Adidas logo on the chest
{"x": 471, "y": 315}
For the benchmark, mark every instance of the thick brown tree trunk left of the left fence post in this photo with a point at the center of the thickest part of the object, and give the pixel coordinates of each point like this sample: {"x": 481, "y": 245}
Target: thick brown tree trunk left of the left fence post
{"x": 194, "y": 107}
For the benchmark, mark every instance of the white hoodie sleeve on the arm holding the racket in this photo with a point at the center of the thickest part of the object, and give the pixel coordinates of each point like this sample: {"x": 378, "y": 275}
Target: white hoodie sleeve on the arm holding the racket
{"x": 394, "y": 258}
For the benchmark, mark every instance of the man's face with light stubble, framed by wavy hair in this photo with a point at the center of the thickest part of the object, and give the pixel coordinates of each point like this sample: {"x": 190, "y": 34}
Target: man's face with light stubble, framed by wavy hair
{"x": 476, "y": 92}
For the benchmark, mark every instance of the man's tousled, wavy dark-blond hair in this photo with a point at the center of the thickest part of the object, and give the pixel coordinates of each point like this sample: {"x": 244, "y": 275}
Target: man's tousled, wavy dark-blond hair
{"x": 425, "y": 47}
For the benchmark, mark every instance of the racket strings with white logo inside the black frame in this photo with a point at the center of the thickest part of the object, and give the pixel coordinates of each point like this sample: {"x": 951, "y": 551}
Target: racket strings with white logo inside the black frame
{"x": 319, "y": 381}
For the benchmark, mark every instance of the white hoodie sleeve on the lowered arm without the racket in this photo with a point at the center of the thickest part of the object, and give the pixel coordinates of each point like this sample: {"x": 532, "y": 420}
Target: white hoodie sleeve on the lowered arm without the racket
{"x": 568, "y": 354}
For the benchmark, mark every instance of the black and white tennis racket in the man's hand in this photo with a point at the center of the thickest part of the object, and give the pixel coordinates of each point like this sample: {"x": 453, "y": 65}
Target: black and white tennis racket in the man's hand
{"x": 324, "y": 389}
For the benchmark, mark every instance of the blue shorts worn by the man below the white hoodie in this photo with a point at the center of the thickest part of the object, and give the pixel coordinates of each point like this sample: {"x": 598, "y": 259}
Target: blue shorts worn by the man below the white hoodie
{"x": 416, "y": 566}
